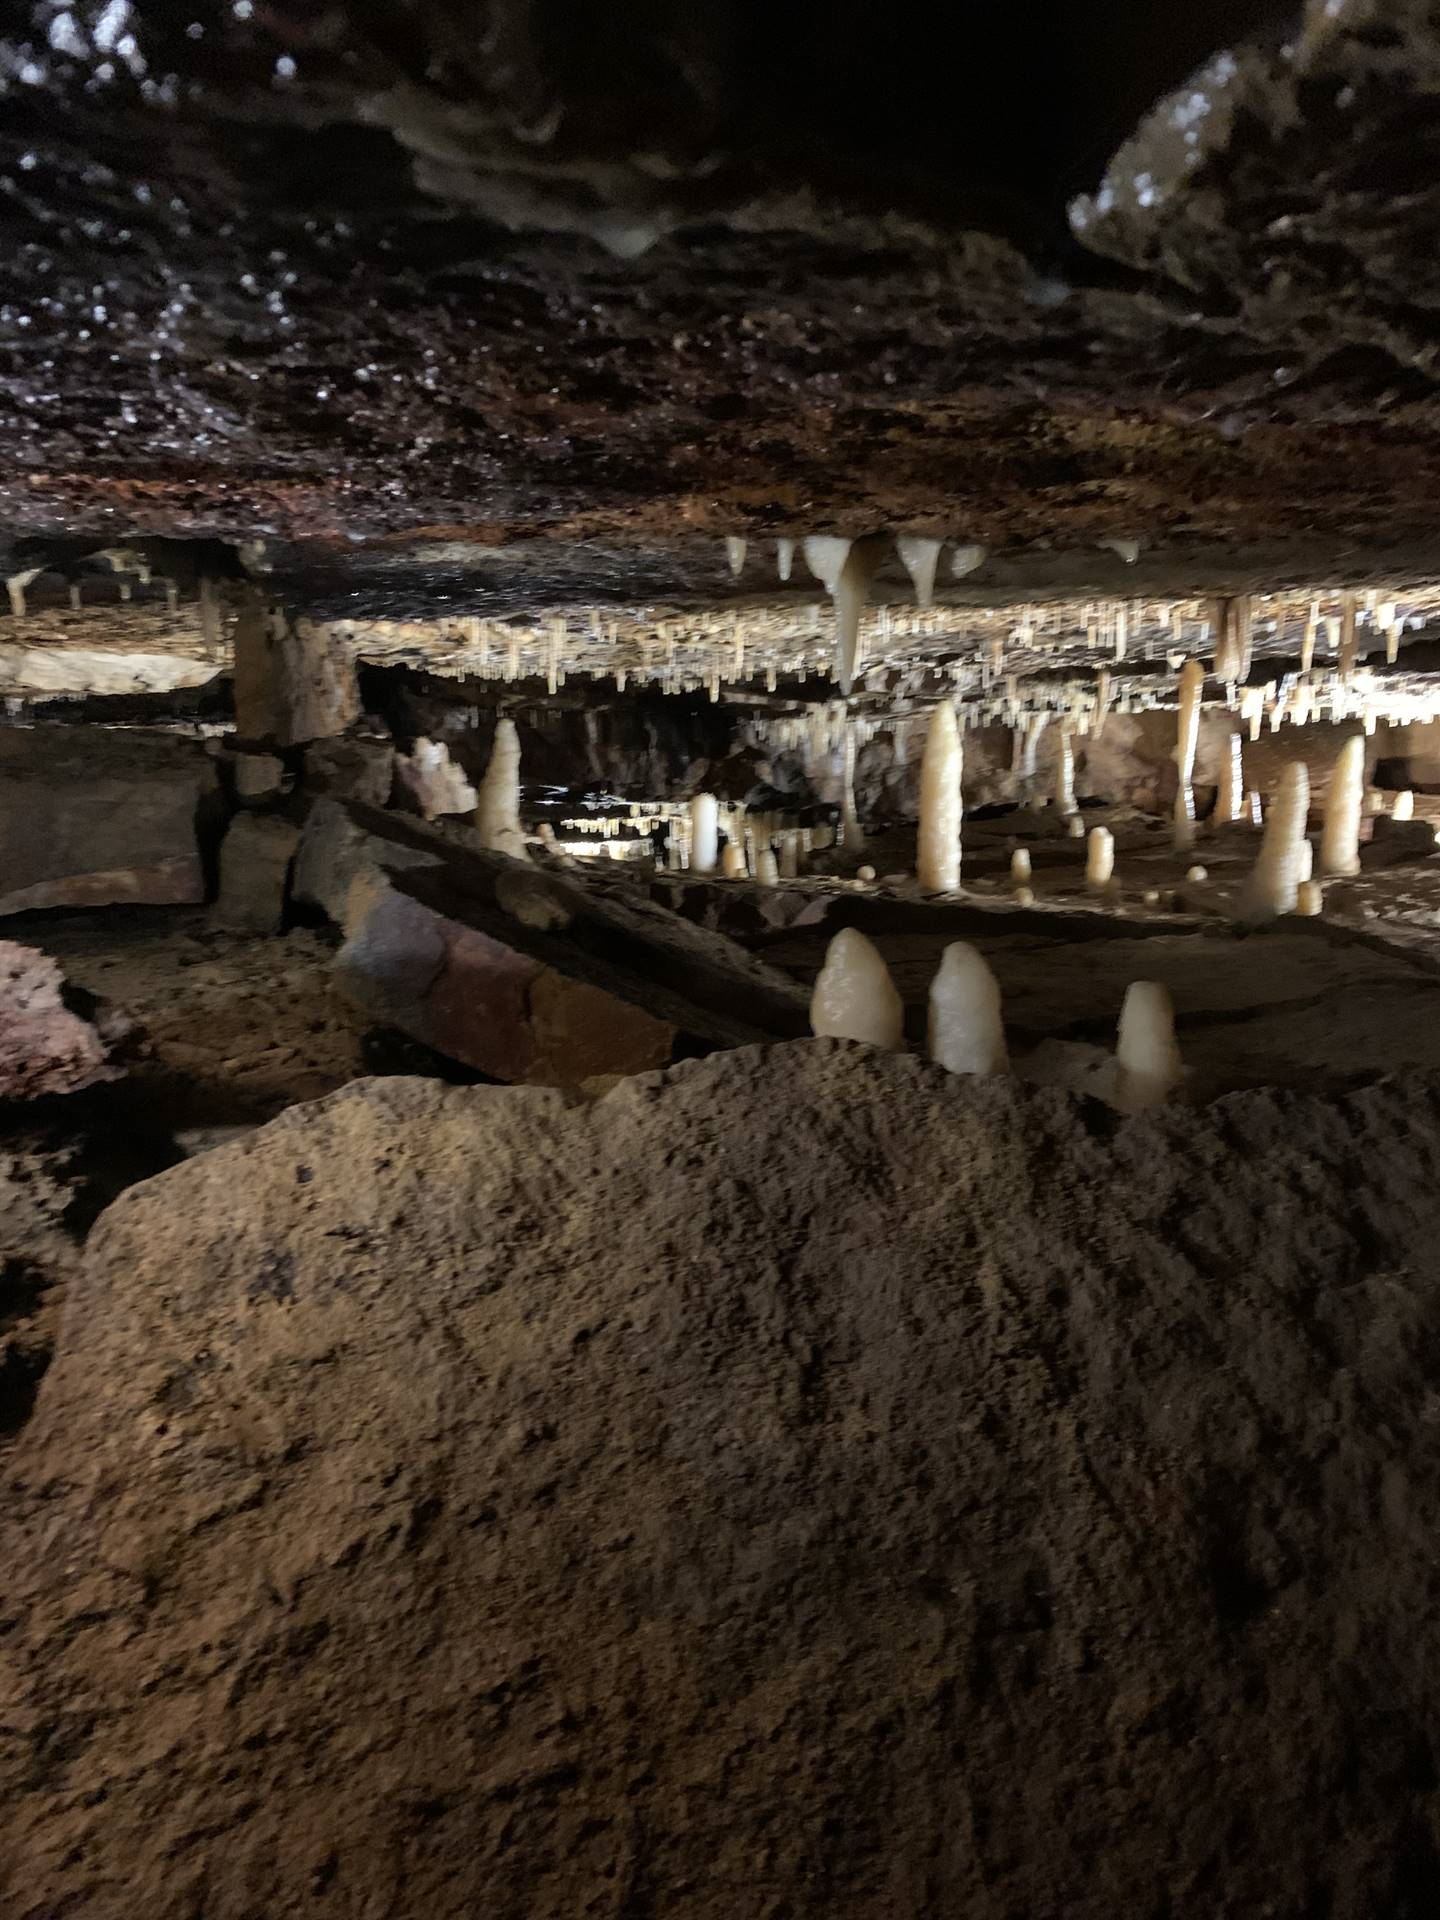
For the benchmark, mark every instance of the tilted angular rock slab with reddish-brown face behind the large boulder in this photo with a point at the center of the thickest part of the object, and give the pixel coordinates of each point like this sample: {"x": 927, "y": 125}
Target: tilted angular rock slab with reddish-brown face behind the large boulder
{"x": 519, "y": 971}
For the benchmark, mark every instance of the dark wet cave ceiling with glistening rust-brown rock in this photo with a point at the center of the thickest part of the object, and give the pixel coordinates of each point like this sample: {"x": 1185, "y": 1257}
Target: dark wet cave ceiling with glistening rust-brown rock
{"x": 533, "y": 304}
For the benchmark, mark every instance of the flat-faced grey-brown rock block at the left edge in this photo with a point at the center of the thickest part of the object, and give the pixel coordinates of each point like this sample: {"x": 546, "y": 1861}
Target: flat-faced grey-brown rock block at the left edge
{"x": 91, "y": 819}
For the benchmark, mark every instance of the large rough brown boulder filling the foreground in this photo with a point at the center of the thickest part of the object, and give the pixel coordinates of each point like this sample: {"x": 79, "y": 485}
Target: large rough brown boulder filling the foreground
{"x": 796, "y": 1485}
